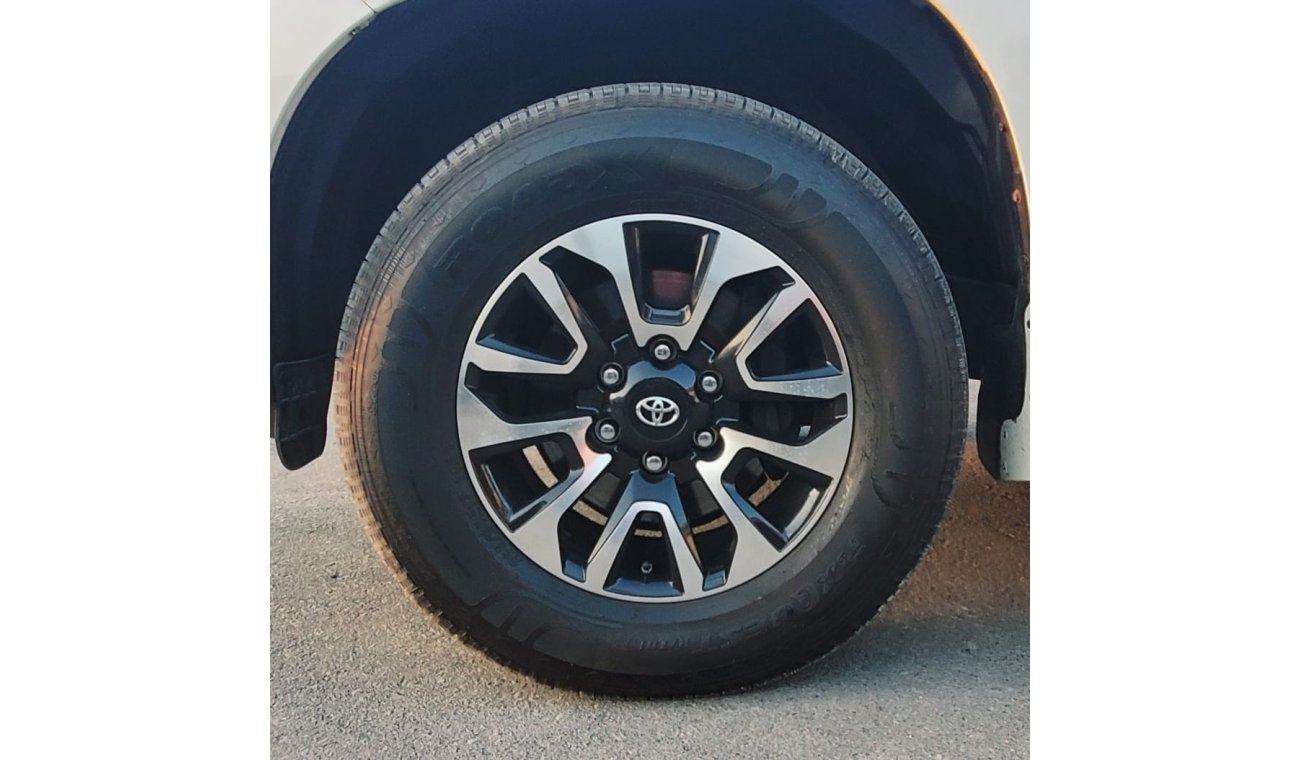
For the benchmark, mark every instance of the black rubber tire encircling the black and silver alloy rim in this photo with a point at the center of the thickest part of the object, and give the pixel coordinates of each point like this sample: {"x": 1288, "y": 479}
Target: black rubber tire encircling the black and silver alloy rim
{"x": 651, "y": 149}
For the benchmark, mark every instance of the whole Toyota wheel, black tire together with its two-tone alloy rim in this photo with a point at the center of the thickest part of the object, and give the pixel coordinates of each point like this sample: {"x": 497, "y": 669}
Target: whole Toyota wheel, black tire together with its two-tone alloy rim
{"x": 652, "y": 390}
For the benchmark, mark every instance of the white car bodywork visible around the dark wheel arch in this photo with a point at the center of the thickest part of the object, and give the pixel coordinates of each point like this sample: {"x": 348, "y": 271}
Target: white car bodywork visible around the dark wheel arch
{"x": 306, "y": 34}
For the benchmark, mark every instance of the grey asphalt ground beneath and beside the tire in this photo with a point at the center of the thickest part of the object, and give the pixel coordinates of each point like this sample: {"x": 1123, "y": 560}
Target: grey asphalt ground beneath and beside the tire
{"x": 359, "y": 671}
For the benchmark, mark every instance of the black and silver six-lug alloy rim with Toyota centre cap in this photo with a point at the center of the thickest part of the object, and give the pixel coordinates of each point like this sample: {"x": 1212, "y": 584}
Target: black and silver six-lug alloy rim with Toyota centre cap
{"x": 655, "y": 409}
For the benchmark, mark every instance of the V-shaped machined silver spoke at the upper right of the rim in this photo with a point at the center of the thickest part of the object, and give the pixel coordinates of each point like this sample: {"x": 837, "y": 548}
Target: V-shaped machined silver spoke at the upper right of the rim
{"x": 825, "y": 384}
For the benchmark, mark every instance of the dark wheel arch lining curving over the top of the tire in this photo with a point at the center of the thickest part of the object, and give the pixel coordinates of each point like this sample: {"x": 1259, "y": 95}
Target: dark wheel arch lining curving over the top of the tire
{"x": 894, "y": 82}
